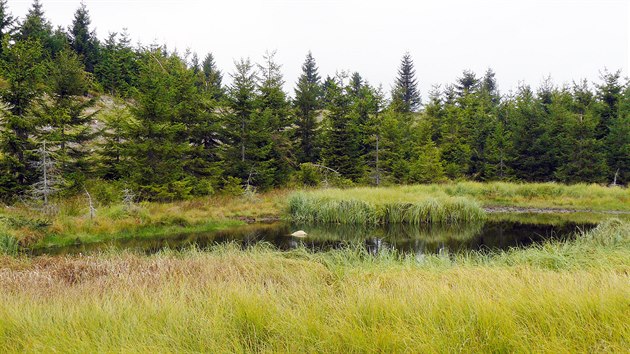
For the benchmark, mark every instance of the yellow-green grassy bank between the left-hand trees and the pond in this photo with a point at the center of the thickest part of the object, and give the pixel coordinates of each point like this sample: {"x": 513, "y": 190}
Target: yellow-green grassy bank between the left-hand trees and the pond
{"x": 72, "y": 224}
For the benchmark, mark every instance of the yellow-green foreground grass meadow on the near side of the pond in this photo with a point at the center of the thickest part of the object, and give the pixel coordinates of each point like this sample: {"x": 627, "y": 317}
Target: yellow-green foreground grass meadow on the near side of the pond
{"x": 570, "y": 297}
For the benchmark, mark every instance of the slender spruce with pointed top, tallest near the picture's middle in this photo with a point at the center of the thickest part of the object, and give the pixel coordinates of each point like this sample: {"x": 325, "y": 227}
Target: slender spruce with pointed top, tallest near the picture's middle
{"x": 307, "y": 102}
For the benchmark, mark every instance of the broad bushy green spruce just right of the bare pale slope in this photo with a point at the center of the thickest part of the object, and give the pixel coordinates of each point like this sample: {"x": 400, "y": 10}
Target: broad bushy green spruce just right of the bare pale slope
{"x": 155, "y": 153}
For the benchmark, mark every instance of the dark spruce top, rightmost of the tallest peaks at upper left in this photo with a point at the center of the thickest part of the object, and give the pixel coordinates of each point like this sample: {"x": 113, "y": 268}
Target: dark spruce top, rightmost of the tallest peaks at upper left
{"x": 83, "y": 40}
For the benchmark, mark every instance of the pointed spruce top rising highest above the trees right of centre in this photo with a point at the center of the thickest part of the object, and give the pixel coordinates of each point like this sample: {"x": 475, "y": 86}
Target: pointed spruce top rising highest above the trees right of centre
{"x": 405, "y": 95}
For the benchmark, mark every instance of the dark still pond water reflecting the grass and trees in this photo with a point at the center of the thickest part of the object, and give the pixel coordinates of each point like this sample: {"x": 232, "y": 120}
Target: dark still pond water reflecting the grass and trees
{"x": 490, "y": 236}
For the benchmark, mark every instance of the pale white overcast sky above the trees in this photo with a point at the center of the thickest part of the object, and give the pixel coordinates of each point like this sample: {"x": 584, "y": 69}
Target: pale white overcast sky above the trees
{"x": 521, "y": 40}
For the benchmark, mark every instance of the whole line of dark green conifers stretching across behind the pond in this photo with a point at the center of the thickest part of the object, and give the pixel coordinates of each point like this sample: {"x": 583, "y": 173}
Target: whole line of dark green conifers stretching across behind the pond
{"x": 76, "y": 110}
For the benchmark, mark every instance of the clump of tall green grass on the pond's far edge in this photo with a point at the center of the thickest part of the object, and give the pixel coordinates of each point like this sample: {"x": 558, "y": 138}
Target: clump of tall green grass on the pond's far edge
{"x": 304, "y": 207}
